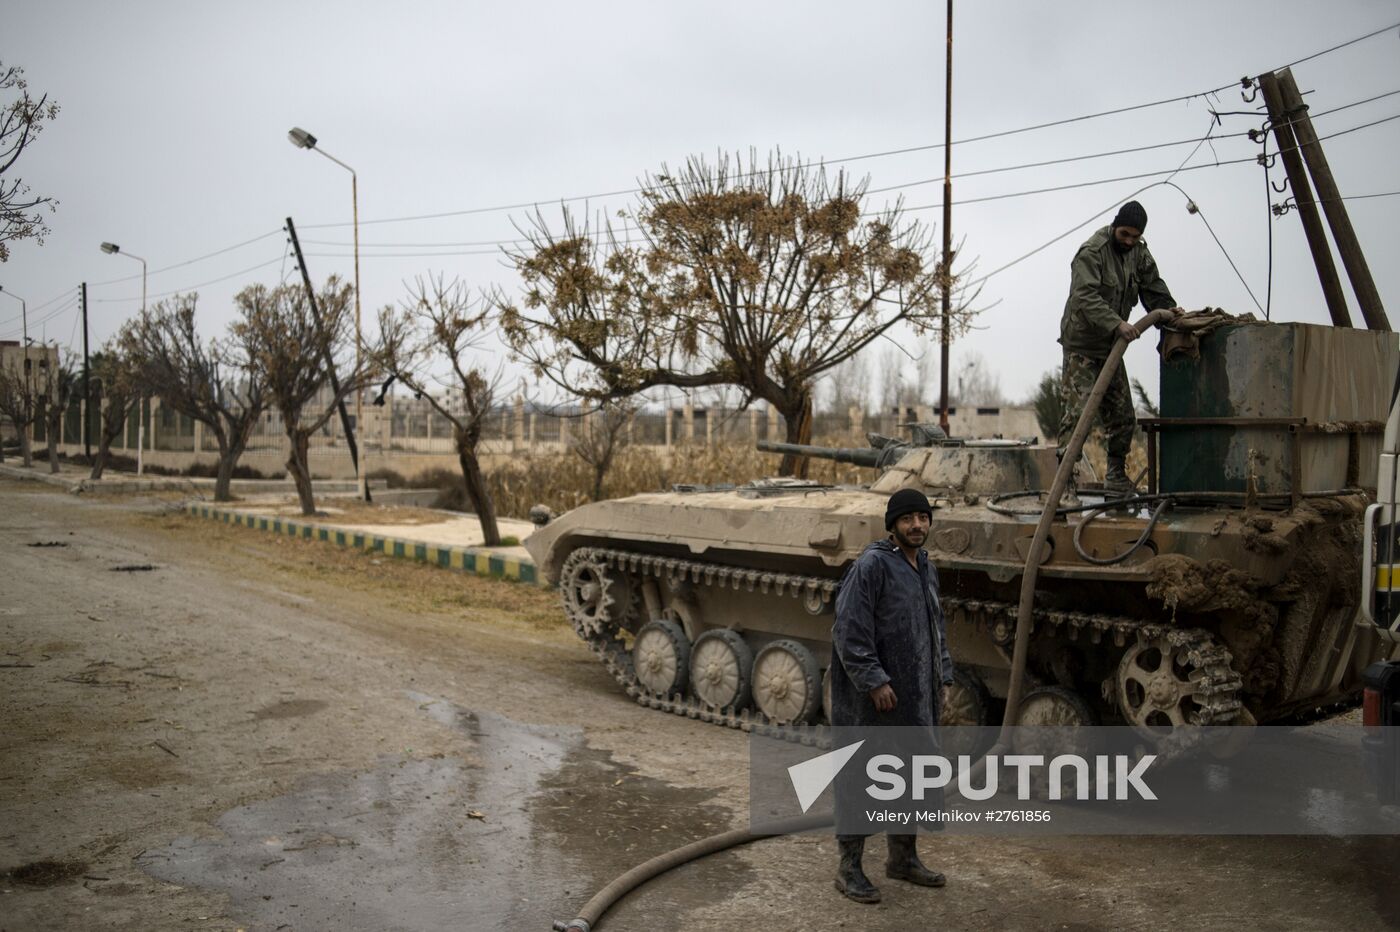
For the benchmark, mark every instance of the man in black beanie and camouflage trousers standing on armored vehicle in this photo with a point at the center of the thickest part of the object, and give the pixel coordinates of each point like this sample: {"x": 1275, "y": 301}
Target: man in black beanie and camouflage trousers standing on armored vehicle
{"x": 1111, "y": 274}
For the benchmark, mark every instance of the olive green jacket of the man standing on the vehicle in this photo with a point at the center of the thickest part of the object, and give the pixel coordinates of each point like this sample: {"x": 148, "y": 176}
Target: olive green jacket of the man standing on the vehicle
{"x": 1104, "y": 288}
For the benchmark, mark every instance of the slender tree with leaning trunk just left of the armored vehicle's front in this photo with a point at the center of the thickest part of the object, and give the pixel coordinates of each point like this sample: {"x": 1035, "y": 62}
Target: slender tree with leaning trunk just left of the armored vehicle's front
{"x": 442, "y": 325}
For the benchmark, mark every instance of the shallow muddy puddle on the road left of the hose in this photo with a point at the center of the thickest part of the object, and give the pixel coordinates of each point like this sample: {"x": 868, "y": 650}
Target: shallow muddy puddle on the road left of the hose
{"x": 516, "y": 838}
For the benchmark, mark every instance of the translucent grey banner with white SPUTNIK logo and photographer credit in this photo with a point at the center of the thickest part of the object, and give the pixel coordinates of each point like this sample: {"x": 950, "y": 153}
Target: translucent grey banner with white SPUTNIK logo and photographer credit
{"x": 1101, "y": 780}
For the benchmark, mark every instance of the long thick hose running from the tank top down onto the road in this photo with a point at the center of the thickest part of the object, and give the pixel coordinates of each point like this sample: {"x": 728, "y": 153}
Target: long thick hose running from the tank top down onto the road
{"x": 604, "y": 899}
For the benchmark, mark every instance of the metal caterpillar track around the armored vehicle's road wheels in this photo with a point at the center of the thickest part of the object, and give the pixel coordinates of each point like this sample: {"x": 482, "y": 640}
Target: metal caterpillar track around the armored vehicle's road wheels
{"x": 1216, "y": 688}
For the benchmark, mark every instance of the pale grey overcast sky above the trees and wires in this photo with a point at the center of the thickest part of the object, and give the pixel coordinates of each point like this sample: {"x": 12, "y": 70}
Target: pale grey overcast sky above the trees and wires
{"x": 171, "y": 139}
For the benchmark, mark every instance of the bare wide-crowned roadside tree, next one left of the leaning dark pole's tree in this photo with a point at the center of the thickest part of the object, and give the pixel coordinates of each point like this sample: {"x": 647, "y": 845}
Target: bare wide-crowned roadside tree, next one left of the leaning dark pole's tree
{"x": 212, "y": 384}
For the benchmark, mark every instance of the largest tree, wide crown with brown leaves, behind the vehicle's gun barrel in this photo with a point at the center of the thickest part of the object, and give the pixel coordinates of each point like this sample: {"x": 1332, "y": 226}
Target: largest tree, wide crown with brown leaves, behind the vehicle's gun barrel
{"x": 758, "y": 276}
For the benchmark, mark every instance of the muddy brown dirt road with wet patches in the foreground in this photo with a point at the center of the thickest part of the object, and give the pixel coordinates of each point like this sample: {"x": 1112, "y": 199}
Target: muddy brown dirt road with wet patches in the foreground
{"x": 209, "y": 728}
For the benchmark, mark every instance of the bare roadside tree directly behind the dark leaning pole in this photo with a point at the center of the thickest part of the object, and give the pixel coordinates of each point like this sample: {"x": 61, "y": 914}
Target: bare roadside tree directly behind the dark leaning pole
{"x": 288, "y": 351}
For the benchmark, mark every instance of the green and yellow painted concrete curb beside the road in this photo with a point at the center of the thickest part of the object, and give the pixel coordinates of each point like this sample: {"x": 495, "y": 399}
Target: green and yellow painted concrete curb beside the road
{"x": 484, "y": 562}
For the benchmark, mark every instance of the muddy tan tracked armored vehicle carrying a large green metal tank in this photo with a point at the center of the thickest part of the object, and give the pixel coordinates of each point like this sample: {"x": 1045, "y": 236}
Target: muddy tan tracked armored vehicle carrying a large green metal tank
{"x": 1224, "y": 593}
